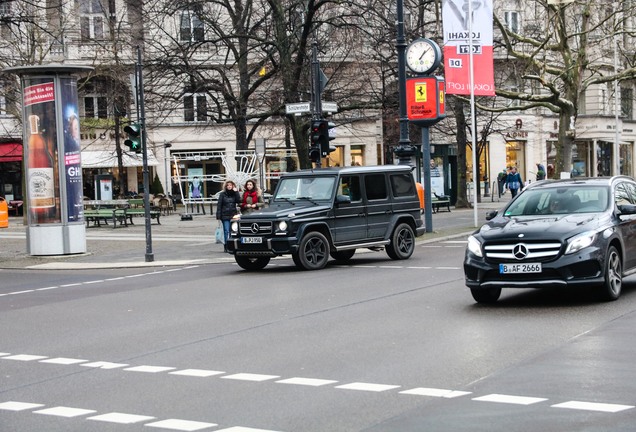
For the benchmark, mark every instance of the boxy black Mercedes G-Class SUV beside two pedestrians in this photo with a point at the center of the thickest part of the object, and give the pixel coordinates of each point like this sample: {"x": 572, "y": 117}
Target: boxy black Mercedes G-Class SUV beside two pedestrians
{"x": 318, "y": 213}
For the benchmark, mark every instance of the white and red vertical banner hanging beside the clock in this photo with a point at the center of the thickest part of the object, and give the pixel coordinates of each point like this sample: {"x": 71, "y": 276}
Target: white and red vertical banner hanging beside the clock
{"x": 457, "y": 22}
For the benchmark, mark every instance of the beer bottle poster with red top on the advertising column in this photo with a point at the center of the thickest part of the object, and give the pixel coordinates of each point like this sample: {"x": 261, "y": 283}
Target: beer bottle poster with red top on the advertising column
{"x": 42, "y": 177}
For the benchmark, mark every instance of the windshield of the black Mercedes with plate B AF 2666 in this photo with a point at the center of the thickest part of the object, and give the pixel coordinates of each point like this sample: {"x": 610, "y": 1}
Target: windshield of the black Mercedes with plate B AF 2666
{"x": 560, "y": 200}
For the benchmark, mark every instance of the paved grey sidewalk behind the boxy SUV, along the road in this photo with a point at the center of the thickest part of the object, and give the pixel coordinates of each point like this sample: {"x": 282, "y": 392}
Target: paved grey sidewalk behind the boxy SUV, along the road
{"x": 176, "y": 242}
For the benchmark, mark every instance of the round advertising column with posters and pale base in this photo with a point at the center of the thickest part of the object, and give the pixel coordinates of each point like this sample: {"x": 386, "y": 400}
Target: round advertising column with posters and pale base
{"x": 52, "y": 158}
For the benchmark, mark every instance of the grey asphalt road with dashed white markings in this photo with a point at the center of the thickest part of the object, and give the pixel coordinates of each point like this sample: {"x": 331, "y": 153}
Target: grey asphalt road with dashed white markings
{"x": 377, "y": 345}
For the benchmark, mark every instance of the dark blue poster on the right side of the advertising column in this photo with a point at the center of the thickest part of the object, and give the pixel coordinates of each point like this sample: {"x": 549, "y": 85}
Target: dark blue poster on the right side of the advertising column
{"x": 72, "y": 151}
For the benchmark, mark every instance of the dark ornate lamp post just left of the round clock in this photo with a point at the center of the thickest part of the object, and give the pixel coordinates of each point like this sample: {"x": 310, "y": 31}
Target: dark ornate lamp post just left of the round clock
{"x": 404, "y": 150}
